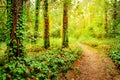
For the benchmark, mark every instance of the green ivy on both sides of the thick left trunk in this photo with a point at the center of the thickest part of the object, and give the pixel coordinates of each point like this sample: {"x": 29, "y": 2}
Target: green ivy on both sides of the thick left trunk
{"x": 13, "y": 45}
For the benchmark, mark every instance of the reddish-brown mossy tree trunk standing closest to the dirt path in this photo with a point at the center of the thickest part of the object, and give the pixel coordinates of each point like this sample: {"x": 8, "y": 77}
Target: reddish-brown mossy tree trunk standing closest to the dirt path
{"x": 65, "y": 25}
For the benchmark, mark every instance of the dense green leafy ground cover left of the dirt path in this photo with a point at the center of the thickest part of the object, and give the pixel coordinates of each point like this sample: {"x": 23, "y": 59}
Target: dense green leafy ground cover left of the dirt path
{"x": 43, "y": 66}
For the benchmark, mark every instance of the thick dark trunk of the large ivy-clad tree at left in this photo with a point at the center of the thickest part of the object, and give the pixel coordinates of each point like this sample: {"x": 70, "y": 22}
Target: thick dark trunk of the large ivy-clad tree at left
{"x": 15, "y": 15}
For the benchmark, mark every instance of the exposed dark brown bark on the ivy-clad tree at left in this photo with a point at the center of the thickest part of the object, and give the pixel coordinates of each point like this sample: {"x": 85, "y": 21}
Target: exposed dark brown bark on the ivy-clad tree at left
{"x": 15, "y": 40}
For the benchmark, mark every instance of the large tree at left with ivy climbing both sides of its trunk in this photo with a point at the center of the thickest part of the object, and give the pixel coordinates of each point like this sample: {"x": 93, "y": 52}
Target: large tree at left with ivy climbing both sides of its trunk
{"x": 15, "y": 25}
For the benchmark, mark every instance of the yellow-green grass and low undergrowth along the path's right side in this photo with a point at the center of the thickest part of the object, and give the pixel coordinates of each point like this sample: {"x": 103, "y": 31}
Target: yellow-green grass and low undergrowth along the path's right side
{"x": 109, "y": 45}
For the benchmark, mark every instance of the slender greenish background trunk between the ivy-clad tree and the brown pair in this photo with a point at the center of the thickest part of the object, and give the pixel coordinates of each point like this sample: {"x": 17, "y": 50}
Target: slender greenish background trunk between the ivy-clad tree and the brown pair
{"x": 37, "y": 19}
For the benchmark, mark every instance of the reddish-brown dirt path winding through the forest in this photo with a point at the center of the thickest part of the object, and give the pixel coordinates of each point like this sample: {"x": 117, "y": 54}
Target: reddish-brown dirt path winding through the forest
{"x": 94, "y": 65}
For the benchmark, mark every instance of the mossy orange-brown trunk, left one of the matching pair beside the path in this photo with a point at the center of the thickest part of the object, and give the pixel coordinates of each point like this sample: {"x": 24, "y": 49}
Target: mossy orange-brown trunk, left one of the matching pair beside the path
{"x": 46, "y": 26}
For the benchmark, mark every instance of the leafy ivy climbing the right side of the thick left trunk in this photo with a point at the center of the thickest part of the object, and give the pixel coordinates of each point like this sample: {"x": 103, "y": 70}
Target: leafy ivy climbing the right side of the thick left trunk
{"x": 20, "y": 29}
